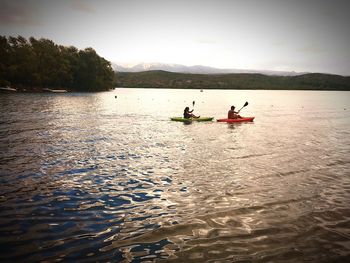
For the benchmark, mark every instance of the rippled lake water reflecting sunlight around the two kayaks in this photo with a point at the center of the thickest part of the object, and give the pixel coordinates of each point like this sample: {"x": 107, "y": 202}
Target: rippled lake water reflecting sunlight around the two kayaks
{"x": 90, "y": 177}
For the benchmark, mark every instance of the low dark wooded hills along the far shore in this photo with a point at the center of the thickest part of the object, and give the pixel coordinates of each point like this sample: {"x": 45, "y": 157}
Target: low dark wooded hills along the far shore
{"x": 163, "y": 79}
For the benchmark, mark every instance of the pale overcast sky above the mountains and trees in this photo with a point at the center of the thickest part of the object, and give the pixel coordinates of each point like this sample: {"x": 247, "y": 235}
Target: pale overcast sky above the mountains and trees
{"x": 288, "y": 35}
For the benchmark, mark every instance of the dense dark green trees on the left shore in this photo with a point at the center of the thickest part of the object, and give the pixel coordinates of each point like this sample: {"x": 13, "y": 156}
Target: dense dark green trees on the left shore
{"x": 36, "y": 64}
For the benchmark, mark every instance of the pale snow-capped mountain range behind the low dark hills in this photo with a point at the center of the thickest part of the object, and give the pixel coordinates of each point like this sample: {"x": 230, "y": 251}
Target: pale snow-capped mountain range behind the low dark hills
{"x": 198, "y": 69}
